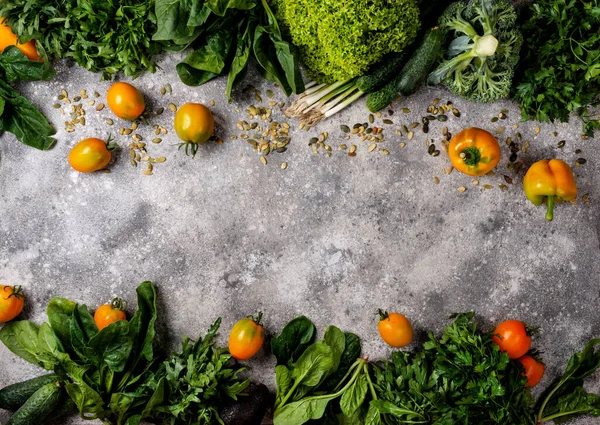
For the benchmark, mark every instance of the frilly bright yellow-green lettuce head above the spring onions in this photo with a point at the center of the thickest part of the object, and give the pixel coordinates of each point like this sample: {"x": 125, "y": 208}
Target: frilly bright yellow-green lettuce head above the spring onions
{"x": 341, "y": 40}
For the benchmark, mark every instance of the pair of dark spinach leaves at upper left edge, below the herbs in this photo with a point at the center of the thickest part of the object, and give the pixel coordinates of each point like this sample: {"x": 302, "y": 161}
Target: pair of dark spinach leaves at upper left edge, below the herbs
{"x": 17, "y": 114}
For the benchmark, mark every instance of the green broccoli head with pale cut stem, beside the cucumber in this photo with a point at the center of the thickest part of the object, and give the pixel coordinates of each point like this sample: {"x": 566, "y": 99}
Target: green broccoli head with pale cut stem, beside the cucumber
{"x": 480, "y": 66}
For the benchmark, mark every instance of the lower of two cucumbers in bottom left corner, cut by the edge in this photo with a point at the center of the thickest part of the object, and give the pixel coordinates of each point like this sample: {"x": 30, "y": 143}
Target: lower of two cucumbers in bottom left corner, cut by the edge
{"x": 38, "y": 407}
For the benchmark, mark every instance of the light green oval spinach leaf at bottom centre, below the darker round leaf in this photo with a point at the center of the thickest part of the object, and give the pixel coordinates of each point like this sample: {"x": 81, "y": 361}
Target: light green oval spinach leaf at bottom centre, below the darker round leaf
{"x": 313, "y": 365}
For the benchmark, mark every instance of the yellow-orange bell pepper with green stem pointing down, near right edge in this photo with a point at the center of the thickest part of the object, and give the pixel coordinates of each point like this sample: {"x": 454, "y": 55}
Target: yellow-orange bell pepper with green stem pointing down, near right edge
{"x": 552, "y": 181}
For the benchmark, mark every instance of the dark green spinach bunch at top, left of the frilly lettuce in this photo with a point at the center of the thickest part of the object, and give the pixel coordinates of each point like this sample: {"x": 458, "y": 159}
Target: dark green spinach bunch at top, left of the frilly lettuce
{"x": 225, "y": 35}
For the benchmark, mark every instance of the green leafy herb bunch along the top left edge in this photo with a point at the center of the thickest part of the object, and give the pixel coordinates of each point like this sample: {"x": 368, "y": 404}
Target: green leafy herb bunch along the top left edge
{"x": 105, "y": 36}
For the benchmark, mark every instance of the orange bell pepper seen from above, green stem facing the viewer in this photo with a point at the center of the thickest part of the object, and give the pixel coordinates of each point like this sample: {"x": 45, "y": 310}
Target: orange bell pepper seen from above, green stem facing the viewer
{"x": 474, "y": 151}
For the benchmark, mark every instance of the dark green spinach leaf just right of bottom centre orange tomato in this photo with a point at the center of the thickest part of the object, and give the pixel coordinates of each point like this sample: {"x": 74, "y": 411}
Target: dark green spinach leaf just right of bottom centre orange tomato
{"x": 295, "y": 337}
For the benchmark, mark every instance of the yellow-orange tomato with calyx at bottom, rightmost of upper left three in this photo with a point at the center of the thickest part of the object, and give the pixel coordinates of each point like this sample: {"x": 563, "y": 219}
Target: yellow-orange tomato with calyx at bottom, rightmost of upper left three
{"x": 194, "y": 124}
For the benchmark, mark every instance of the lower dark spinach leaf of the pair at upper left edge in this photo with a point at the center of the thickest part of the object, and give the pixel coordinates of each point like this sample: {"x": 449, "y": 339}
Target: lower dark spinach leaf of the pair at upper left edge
{"x": 22, "y": 119}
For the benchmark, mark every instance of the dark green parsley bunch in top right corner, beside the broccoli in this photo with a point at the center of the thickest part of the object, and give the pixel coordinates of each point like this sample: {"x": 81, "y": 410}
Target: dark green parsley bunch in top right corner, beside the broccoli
{"x": 560, "y": 71}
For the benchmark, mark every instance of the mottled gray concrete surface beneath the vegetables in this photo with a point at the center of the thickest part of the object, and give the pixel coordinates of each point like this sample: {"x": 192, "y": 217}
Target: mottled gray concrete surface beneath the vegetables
{"x": 333, "y": 238}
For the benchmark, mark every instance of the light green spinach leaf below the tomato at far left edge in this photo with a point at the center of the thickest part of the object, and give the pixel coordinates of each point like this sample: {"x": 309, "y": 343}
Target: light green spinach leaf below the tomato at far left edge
{"x": 21, "y": 338}
